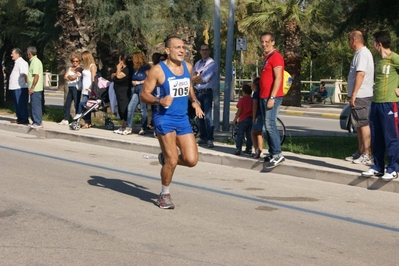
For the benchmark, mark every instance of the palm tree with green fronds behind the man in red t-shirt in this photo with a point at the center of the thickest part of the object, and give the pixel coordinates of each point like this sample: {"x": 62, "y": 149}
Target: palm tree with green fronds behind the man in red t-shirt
{"x": 284, "y": 18}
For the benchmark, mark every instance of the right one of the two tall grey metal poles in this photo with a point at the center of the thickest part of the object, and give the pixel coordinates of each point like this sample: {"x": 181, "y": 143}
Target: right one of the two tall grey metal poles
{"x": 229, "y": 70}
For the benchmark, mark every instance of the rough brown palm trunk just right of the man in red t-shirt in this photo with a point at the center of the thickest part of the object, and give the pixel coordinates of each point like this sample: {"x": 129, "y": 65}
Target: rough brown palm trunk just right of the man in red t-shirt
{"x": 293, "y": 60}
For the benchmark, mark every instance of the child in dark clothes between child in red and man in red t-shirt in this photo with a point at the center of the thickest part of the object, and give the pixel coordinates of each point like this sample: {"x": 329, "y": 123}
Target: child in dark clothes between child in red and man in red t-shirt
{"x": 257, "y": 121}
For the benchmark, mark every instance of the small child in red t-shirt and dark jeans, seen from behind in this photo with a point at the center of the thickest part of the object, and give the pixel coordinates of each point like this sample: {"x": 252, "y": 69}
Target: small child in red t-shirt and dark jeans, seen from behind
{"x": 244, "y": 119}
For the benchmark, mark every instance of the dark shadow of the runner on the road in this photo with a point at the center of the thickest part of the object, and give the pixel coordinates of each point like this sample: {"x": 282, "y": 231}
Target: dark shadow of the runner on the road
{"x": 125, "y": 187}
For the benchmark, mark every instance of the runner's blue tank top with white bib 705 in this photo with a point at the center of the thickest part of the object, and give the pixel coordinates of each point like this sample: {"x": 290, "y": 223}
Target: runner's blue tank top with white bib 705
{"x": 176, "y": 86}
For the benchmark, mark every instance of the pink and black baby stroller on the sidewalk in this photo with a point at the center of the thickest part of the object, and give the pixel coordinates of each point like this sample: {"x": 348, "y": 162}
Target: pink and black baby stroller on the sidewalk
{"x": 98, "y": 101}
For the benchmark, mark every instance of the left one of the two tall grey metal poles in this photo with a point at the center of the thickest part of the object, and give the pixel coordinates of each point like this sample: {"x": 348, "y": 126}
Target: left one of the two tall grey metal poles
{"x": 216, "y": 57}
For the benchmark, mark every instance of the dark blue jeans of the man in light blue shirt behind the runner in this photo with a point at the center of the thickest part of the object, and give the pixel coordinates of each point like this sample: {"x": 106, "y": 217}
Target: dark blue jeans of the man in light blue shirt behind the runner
{"x": 206, "y": 124}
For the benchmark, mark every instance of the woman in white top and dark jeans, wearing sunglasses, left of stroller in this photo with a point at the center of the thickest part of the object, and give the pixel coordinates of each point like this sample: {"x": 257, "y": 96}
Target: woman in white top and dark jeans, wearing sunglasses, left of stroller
{"x": 72, "y": 77}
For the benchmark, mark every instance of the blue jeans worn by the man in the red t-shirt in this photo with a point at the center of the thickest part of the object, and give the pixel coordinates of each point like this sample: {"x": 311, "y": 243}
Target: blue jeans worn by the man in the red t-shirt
{"x": 270, "y": 118}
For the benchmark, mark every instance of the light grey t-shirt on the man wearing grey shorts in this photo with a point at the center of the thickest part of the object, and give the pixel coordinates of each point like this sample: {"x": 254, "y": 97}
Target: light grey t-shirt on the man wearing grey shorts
{"x": 362, "y": 61}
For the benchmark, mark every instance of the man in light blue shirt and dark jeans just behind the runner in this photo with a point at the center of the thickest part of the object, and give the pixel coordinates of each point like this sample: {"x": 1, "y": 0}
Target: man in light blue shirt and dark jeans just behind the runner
{"x": 204, "y": 77}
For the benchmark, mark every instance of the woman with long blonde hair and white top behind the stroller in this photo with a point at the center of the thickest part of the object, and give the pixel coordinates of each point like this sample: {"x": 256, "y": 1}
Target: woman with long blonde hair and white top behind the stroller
{"x": 88, "y": 75}
